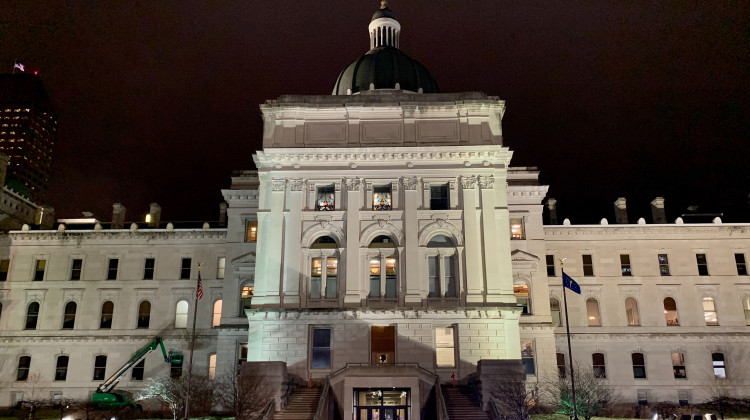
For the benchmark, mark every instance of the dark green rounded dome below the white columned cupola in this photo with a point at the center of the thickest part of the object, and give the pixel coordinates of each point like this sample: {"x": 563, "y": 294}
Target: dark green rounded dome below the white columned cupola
{"x": 384, "y": 67}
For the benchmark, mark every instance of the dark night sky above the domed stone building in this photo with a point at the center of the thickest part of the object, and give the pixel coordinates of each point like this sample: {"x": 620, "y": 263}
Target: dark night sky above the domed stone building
{"x": 158, "y": 100}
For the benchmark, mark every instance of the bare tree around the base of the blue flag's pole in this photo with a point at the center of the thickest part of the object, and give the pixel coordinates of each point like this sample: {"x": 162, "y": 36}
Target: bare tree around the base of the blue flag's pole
{"x": 592, "y": 394}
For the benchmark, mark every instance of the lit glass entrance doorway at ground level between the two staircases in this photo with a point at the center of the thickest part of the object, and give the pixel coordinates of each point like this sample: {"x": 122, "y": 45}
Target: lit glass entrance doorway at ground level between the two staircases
{"x": 382, "y": 404}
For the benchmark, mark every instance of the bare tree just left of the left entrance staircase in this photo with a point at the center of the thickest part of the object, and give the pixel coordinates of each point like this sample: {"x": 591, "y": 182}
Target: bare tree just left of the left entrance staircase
{"x": 244, "y": 395}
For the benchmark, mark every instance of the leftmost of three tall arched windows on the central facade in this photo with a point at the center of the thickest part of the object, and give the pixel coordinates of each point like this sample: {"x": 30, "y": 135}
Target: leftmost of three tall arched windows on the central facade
{"x": 324, "y": 267}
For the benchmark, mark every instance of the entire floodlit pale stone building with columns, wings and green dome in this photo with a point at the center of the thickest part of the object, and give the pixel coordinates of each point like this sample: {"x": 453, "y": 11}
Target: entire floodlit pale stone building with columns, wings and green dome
{"x": 382, "y": 246}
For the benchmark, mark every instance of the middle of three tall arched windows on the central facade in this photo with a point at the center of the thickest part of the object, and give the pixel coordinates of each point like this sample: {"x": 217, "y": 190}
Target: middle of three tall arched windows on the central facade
{"x": 383, "y": 281}
